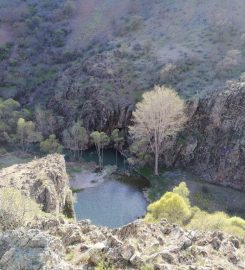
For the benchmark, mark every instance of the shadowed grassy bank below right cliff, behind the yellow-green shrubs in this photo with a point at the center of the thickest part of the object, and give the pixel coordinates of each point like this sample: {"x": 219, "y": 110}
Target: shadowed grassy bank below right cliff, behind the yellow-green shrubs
{"x": 208, "y": 197}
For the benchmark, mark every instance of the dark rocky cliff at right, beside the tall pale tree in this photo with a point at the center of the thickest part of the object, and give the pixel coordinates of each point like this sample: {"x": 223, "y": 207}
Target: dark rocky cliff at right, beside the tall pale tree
{"x": 213, "y": 143}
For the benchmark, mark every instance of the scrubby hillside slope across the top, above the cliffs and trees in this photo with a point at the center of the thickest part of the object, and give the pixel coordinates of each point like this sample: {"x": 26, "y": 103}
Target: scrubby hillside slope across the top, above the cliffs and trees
{"x": 74, "y": 53}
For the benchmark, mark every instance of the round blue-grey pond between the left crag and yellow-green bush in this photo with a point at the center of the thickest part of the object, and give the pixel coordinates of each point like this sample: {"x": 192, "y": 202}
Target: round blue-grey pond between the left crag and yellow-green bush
{"x": 112, "y": 203}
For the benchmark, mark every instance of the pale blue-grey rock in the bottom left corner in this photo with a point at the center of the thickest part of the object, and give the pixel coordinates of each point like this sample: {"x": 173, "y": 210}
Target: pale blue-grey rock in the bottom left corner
{"x": 31, "y": 249}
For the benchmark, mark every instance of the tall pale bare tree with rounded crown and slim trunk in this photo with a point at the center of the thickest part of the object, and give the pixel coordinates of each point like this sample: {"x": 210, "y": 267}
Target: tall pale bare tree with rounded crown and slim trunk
{"x": 160, "y": 114}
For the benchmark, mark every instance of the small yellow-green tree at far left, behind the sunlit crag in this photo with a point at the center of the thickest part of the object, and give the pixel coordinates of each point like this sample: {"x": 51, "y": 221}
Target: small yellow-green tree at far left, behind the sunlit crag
{"x": 27, "y": 134}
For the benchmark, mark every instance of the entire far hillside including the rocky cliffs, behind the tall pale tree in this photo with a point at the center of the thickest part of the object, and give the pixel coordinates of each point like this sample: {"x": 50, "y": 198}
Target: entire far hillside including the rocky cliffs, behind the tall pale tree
{"x": 90, "y": 61}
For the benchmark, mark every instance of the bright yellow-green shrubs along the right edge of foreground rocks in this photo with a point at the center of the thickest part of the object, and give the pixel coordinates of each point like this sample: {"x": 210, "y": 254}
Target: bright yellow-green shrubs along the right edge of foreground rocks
{"x": 175, "y": 207}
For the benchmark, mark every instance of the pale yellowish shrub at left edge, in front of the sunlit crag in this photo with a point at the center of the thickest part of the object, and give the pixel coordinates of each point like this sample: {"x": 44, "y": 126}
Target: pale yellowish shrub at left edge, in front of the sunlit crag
{"x": 16, "y": 210}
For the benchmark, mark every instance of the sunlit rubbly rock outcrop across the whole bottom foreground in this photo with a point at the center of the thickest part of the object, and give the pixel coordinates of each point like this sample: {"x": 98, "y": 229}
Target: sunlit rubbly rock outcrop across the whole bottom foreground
{"x": 134, "y": 246}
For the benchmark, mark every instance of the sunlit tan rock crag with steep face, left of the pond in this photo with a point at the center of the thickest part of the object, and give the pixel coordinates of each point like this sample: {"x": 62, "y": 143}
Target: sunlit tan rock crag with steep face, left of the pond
{"x": 45, "y": 180}
